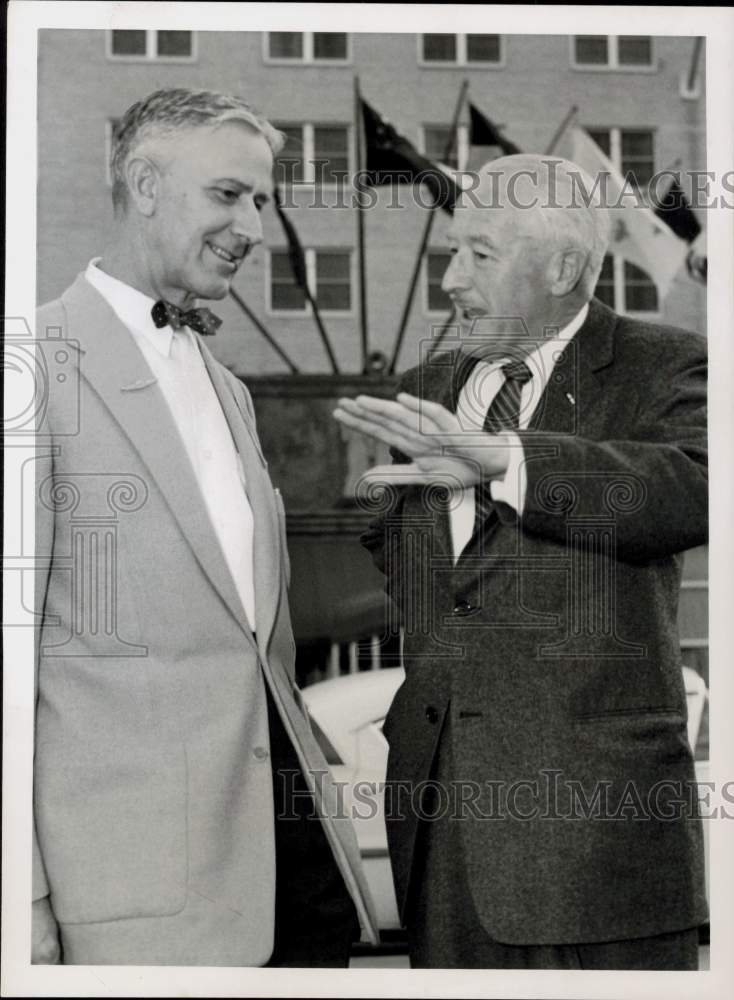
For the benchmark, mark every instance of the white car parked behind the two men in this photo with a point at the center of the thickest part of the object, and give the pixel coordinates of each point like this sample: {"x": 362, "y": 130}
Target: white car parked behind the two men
{"x": 347, "y": 714}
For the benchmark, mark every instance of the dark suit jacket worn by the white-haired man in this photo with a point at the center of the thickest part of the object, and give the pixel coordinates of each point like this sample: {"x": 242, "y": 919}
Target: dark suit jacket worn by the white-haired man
{"x": 553, "y": 647}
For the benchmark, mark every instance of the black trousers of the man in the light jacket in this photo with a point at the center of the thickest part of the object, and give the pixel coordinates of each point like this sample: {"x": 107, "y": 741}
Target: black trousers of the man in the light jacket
{"x": 316, "y": 922}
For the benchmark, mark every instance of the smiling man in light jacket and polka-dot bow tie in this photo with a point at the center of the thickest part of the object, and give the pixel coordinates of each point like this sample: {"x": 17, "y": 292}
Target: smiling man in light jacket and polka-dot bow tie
{"x": 183, "y": 811}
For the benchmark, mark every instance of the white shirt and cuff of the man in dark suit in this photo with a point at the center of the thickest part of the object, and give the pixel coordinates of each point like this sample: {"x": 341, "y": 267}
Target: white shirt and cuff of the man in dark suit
{"x": 475, "y": 399}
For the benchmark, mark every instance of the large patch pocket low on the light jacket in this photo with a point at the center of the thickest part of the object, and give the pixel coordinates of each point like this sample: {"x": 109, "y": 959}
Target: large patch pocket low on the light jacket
{"x": 112, "y": 828}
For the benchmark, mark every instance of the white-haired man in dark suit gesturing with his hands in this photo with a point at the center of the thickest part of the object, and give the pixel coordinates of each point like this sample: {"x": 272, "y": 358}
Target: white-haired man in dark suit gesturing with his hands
{"x": 541, "y": 797}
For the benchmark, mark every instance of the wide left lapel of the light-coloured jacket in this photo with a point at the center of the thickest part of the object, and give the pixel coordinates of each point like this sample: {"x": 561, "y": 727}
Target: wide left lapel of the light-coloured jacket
{"x": 117, "y": 371}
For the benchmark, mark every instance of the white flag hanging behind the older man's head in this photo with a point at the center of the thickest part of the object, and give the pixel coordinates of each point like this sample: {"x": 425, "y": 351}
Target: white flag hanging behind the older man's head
{"x": 637, "y": 234}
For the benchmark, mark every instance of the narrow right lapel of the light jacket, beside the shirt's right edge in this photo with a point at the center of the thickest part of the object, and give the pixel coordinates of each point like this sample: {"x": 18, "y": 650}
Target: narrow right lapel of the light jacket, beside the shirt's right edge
{"x": 262, "y": 500}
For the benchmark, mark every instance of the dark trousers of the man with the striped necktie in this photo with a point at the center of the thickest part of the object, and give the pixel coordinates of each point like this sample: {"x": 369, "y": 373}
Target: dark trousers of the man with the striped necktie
{"x": 444, "y": 931}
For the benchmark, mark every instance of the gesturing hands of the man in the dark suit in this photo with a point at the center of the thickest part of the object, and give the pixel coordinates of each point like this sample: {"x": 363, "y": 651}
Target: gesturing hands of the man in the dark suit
{"x": 442, "y": 450}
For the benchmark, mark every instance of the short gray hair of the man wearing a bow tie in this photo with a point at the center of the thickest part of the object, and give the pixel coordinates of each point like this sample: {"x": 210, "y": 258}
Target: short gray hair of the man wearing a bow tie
{"x": 165, "y": 112}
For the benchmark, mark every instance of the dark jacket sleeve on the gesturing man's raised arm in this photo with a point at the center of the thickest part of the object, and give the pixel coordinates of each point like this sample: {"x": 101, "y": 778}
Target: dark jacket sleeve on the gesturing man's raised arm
{"x": 653, "y": 480}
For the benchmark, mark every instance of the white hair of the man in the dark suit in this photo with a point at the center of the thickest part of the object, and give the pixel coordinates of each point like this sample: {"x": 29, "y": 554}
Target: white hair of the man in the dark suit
{"x": 563, "y": 196}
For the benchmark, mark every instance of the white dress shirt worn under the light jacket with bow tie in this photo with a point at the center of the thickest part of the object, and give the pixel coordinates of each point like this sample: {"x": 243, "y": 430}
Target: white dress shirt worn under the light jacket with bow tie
{"x": 176, "y": 362}
